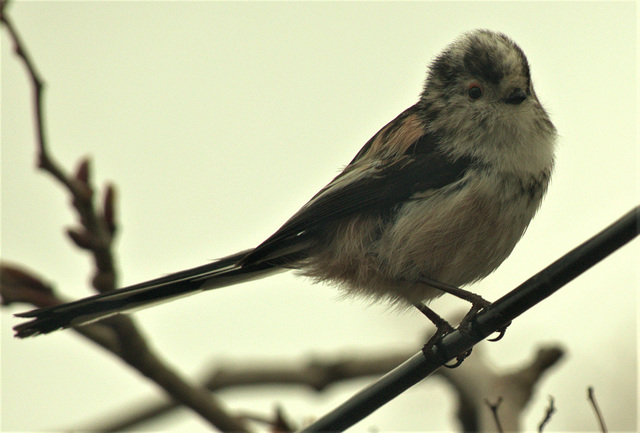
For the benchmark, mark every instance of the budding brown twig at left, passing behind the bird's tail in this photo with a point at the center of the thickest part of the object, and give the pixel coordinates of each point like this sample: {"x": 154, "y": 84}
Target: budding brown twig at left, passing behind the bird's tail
{"x": 96, "y": 236}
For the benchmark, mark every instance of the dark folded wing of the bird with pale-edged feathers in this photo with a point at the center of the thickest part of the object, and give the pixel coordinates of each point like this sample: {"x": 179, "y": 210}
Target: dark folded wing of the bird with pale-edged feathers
{"x": 366, "y": 185}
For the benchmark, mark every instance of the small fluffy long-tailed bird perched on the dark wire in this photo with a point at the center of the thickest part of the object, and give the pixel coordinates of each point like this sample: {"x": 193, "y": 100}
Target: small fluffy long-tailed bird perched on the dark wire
{"x": 435, "y": 200}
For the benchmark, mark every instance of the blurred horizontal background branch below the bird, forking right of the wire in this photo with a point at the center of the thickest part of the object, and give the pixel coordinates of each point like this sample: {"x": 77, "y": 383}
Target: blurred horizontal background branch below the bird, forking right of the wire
{"x": 319, "y": 373}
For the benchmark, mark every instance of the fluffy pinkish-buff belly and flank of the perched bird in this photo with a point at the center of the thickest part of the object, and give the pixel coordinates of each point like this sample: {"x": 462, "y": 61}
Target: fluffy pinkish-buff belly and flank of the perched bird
{"x": 455, "y": 235}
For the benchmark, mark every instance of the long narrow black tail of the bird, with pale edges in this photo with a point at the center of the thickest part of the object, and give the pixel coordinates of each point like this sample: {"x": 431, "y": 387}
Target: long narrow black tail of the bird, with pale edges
{"x": 224, "y": 272}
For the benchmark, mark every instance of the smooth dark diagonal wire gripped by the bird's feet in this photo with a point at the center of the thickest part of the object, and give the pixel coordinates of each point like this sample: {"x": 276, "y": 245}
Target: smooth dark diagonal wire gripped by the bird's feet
{"x": 497, "y": 316}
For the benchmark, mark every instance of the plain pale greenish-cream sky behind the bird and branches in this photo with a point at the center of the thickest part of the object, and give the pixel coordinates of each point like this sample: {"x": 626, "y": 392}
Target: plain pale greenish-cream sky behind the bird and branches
{"x": 217, "y": 121}
